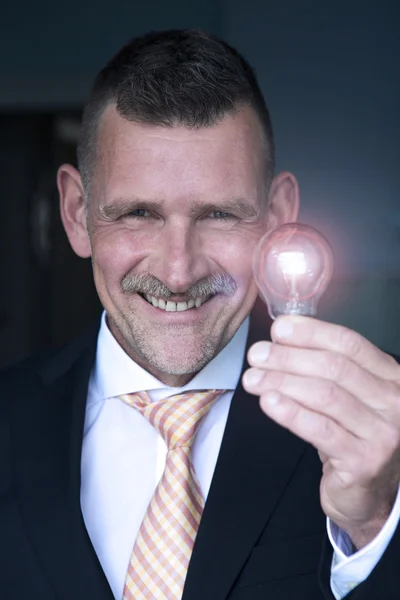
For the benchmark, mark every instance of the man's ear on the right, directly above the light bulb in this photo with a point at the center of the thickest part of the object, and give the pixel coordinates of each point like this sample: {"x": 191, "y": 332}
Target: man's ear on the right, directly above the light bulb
{"x": 284, "y": 200}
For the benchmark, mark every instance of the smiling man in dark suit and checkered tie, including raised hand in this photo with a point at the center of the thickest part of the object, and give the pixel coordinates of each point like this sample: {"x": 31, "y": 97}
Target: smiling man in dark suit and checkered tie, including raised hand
{"x": 174, "y": 190}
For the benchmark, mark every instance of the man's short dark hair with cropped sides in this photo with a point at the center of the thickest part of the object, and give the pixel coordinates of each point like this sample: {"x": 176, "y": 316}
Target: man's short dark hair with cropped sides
{"x": 172, "y": 78}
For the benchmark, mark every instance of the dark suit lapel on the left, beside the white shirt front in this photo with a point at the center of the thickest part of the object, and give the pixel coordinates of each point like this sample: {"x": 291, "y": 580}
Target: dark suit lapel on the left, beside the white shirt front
{"x": 48, "y": 474}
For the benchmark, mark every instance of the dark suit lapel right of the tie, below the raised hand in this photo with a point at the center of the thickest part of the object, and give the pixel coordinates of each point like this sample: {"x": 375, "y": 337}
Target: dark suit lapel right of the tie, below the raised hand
{"x": 256, "y": 461}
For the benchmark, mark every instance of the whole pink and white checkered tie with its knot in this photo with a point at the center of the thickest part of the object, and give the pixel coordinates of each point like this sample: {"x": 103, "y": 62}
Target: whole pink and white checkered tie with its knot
{"x": 162, "y": 551}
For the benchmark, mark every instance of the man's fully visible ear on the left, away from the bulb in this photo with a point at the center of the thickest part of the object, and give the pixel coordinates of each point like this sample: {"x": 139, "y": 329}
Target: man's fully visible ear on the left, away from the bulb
{"x": 72, "y": 208}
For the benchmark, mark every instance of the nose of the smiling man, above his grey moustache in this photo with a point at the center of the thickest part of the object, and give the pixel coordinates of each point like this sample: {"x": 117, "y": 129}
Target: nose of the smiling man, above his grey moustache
{"x": 179, "y": 260}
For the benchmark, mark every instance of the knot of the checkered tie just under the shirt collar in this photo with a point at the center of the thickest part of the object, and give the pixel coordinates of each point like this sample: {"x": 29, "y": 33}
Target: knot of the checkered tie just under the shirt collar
{"x": 176, "y": 418}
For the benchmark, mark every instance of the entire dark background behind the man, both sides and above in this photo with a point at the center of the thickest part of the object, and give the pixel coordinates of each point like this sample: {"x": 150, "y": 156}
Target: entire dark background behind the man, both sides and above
{"x": 331, "y": 78}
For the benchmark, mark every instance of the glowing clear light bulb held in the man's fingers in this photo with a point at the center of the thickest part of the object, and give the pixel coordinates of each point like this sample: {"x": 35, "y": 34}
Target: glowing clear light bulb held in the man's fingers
{"x": 292, "y": 266}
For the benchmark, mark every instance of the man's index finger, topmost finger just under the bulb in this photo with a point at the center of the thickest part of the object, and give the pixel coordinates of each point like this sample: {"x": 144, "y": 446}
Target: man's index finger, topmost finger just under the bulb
{"x": 306, "y": 332}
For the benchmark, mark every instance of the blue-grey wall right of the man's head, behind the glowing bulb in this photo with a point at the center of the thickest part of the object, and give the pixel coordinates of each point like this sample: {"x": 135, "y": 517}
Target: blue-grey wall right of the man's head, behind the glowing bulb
{"x": 330, "y": 72}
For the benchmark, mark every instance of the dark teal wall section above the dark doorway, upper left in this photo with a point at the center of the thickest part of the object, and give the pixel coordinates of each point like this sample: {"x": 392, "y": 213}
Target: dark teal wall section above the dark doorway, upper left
{"x": 49, "y": 51}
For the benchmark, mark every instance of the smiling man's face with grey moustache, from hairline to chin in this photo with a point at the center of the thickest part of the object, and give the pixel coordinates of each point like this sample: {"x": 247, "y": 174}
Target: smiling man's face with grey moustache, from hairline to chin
{"x": 174, "y": 215}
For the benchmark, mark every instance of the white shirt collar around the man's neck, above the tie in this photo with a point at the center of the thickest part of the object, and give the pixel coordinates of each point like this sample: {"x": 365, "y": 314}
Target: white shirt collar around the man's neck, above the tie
{"x": 115, "y": 373}
